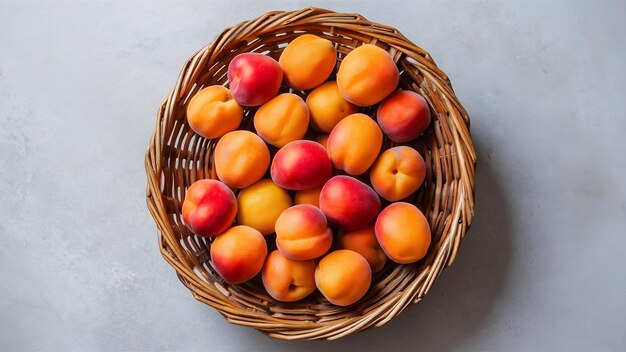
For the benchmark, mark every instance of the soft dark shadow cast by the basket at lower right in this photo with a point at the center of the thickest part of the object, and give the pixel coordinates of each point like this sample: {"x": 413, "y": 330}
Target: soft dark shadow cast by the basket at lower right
{"x": 463, "y": 299}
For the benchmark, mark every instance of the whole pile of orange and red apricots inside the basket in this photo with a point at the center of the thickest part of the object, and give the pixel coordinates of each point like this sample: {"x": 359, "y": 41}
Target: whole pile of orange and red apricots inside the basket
{"x": 330, "y": 231}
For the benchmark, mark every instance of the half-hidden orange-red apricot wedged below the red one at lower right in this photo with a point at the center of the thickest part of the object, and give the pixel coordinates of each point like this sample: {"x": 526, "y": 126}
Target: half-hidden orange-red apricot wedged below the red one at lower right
{"x": 364, "y": 242}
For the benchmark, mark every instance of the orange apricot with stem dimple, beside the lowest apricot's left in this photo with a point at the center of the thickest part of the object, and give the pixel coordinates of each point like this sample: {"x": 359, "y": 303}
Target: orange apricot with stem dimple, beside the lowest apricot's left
{"x": 288, "y": 280}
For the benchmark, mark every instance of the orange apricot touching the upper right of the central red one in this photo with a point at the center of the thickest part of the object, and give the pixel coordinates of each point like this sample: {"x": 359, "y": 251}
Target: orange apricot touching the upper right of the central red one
{"x": 354, "y": 144}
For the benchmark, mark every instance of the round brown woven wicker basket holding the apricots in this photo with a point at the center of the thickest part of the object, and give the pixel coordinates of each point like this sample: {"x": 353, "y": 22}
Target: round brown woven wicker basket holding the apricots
{"x": 177, "y": 157}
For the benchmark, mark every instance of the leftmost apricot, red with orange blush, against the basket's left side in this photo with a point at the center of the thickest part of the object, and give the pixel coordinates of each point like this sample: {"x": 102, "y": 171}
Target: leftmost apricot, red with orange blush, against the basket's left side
{"x": 209, "y": 208}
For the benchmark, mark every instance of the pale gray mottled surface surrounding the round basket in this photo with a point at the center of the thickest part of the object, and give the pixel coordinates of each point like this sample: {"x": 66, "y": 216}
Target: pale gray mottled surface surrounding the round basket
{"x": 542, "y": 268}
